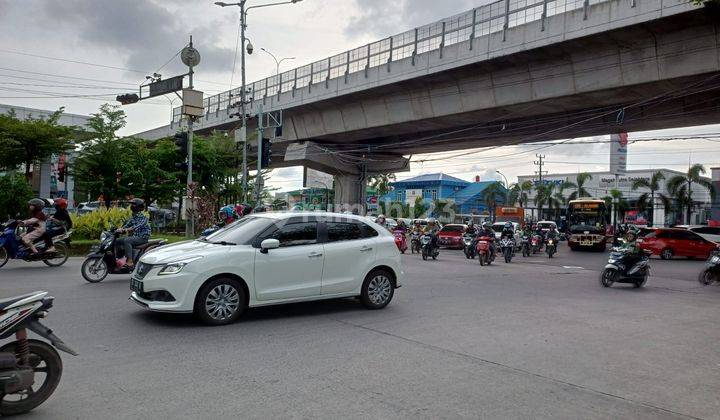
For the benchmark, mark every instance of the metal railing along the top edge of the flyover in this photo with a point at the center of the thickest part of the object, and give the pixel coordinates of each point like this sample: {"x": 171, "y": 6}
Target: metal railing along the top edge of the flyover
{"x": 481, "y": 21}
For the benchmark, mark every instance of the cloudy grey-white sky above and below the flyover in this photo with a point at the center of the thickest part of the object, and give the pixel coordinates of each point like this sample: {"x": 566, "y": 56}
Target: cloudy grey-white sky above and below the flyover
{"x": 78, "y": 53}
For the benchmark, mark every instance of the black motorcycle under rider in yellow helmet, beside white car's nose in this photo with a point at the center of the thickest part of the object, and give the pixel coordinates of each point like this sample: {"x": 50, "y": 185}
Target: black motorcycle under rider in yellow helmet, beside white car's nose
{"x": 104, "y": 261}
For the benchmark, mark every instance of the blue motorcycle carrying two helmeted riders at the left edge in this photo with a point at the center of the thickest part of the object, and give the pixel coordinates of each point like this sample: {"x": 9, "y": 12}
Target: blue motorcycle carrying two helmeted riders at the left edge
{"x": 12, "y": 248}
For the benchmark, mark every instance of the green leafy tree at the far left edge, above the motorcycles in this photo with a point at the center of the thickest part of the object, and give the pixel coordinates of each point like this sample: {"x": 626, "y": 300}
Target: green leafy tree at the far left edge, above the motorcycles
{"x": 33, "y": 140}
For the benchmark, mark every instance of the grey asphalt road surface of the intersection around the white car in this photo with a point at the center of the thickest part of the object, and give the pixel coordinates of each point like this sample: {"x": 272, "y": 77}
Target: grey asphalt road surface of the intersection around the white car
{"x": 536, "y": 338}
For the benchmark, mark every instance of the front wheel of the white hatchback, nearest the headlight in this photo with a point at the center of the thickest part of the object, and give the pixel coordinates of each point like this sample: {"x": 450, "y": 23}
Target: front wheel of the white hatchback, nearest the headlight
{"x": 220, "y": 301}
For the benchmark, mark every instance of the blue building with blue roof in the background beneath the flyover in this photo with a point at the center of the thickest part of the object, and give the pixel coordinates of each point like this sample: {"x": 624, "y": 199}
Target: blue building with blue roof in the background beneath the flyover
{"x": 467, "y": 196}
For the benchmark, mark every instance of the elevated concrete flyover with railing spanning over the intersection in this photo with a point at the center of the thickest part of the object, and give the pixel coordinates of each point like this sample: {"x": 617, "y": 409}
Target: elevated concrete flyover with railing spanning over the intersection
{"x": 505, "y": 73}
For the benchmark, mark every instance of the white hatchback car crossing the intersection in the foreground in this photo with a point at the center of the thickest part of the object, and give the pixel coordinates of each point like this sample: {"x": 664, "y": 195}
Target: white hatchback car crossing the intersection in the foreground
{"x": 268, "y": 259}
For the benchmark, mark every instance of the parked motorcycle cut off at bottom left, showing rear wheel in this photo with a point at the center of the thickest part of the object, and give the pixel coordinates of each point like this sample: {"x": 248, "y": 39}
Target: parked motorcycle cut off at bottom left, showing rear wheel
{"x": 30, "y": 370}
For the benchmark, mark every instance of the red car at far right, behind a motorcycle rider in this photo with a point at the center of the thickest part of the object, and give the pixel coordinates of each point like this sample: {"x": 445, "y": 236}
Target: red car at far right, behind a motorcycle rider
{"x": 668, "y": 243}
